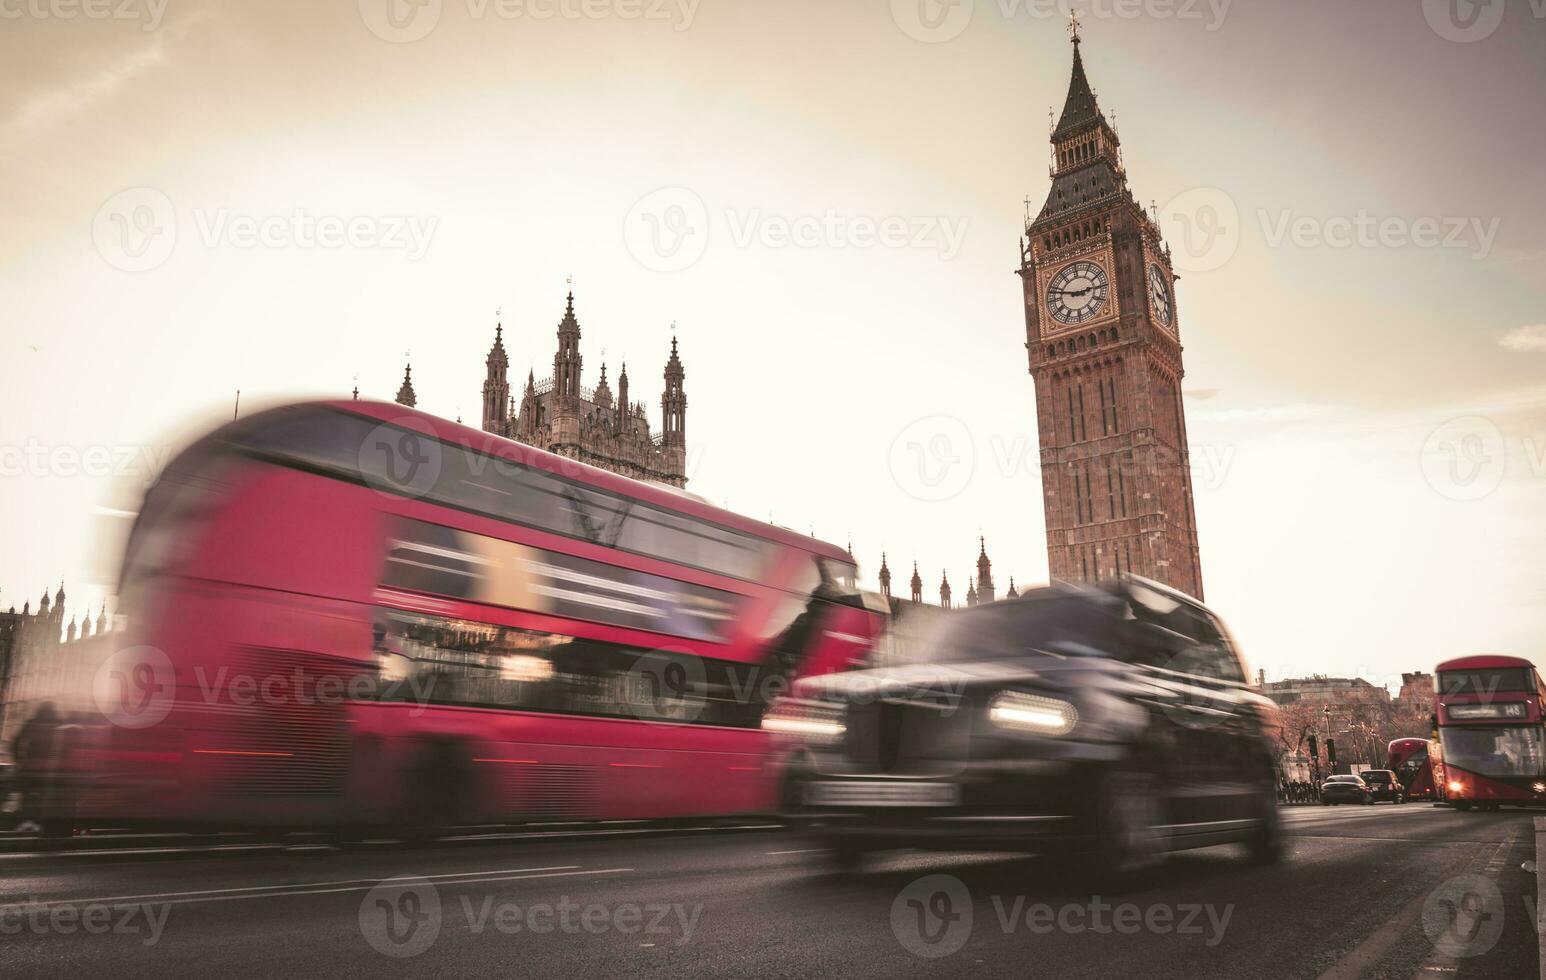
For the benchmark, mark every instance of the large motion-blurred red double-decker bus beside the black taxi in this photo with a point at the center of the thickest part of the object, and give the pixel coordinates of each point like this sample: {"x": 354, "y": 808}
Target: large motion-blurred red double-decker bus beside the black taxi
{"x": 358, "y": 616}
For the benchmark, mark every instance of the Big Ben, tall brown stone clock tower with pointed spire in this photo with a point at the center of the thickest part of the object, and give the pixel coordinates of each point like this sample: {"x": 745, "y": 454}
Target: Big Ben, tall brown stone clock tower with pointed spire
{"x": 1105, "y": 344}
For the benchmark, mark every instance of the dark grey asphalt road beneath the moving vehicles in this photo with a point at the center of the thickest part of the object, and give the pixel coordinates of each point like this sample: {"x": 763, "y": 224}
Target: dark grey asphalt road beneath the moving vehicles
{"x": 1364, "y": 893}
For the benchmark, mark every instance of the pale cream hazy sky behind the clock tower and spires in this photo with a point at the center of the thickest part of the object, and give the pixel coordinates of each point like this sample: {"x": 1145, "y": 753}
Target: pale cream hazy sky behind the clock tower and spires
{"x": 1358, "y": 189}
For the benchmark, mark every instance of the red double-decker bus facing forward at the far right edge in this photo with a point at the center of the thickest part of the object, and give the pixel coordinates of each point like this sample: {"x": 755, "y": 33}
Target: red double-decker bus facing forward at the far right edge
{"x": 1493, "y": 737}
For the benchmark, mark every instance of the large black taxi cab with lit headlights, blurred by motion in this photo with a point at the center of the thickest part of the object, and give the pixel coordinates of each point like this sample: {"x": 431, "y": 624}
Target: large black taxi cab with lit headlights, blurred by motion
{"x": 1112, "y": 721}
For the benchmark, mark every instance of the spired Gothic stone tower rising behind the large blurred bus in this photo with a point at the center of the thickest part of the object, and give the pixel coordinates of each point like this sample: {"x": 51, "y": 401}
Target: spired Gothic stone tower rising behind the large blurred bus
{"x": 562, "y": 417}
